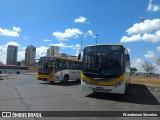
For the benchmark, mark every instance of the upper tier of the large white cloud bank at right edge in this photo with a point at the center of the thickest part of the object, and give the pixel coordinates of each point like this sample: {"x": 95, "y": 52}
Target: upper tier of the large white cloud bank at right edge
{"x": 144, "y": 27}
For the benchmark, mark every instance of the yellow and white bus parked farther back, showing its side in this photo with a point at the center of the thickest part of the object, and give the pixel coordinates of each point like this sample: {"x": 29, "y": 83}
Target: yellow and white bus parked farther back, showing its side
{"x": 58, "y": 68}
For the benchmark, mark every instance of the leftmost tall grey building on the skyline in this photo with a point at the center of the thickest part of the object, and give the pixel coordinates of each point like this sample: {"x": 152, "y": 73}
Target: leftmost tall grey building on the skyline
{"x": 12, "y": 55}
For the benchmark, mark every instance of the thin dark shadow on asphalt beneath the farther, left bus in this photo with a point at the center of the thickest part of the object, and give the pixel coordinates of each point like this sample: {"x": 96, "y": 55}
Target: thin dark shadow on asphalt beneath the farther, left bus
{"x": 69, "y": 83}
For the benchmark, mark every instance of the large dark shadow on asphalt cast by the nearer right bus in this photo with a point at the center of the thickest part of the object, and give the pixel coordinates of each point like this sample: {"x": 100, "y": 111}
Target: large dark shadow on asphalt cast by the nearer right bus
{"x": 135, "y": 94}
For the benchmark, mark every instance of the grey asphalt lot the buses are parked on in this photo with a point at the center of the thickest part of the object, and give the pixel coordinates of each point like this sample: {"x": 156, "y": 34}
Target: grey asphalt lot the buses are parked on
{"x": 25, "y": 93}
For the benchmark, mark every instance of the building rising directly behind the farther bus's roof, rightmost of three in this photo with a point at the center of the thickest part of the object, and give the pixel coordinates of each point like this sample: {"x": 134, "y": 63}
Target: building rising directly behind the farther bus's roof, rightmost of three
{"x": 53, "y": 51}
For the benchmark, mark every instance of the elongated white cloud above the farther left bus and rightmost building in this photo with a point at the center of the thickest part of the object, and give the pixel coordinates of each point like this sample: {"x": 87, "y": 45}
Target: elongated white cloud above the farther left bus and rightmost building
{"x": 69, "y": 33}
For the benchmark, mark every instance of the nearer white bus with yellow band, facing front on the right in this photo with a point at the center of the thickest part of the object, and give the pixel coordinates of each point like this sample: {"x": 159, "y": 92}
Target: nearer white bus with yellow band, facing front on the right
{"x": 106, "y": 68}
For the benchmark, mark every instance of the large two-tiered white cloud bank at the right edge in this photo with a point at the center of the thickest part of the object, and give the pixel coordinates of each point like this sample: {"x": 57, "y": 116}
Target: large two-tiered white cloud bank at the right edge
{"x": 149, "y": 30}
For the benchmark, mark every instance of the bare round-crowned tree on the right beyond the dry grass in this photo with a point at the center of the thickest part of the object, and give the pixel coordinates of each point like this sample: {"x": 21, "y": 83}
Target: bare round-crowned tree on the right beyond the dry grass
{"x": 148, "y": 67}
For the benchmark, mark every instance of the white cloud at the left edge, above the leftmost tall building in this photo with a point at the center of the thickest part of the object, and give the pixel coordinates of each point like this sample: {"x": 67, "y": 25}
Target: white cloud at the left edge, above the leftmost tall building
{"x": 12, "y": 33}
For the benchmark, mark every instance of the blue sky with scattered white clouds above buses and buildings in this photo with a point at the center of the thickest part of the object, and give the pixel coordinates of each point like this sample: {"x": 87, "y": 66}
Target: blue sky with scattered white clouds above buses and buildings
{"x": 64, "y": 23}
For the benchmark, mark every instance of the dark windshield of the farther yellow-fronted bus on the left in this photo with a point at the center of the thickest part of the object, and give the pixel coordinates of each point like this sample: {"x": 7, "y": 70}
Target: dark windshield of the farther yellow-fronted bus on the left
{"x": 45, "y": 66}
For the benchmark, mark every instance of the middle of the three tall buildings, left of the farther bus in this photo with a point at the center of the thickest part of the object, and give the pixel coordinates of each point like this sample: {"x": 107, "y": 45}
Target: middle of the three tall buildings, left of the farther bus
{"x": 30, "y": 55}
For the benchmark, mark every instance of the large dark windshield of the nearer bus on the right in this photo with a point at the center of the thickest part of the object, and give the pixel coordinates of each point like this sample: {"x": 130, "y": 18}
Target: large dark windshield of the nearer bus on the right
{"x": 101, "y": 64}
